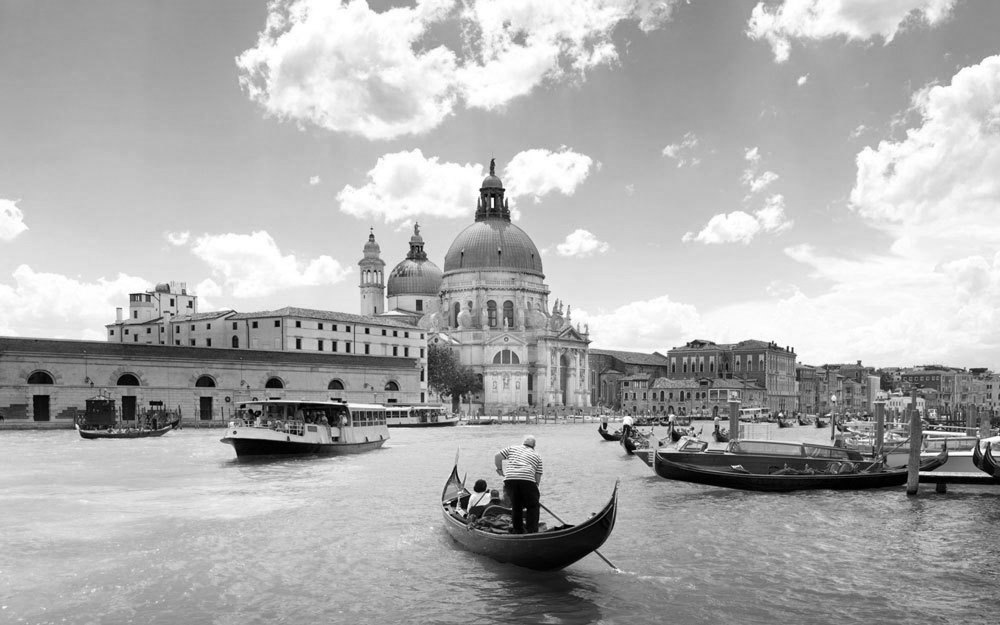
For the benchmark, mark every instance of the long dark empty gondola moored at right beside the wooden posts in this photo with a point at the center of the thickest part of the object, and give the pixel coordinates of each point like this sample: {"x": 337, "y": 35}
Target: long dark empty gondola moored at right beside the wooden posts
{"x": 786, "y": 480}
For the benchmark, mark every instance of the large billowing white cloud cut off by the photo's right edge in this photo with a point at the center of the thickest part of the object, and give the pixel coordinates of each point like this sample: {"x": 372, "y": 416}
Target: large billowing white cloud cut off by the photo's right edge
{"x": 936, "y": 192}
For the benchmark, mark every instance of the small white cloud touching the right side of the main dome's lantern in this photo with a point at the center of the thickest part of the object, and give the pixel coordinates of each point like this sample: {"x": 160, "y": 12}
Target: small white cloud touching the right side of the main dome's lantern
{"x": 538, "y": 172}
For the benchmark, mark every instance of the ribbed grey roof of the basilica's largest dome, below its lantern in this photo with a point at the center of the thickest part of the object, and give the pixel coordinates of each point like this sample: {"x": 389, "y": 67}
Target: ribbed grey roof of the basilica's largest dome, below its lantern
{"x": 493, "y": 244}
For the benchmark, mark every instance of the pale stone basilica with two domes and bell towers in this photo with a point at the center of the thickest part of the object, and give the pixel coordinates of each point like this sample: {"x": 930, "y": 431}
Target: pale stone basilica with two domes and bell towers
{"x": 491, "y": 306}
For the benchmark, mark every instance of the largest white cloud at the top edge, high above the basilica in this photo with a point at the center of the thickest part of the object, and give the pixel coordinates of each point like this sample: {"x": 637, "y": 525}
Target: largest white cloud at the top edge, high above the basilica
{"x": 347, "y": 68}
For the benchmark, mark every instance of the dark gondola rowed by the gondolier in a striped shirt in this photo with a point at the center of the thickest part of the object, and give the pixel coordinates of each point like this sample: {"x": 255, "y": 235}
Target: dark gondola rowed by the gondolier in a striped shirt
{"x": 550, "y": 550}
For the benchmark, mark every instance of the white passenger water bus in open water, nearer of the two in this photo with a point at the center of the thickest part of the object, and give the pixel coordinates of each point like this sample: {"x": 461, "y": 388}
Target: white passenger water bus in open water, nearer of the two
{"x": 279, "y": 427}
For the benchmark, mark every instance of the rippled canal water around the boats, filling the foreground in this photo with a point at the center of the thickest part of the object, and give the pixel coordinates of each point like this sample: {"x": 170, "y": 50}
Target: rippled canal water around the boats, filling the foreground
{"x": 174, "y": 530}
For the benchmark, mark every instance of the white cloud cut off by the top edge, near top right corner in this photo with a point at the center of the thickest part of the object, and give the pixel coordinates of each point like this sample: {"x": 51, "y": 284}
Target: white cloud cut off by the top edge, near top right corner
{"x": 859, "y": 20}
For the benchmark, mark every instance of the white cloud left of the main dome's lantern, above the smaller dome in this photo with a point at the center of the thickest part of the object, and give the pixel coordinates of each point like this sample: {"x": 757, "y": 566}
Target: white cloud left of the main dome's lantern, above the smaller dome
{"x": 404, "y": 185}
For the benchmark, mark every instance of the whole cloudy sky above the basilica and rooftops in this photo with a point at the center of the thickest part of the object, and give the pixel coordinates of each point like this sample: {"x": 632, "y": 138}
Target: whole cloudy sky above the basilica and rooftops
{"x": 824, "y": 175}
